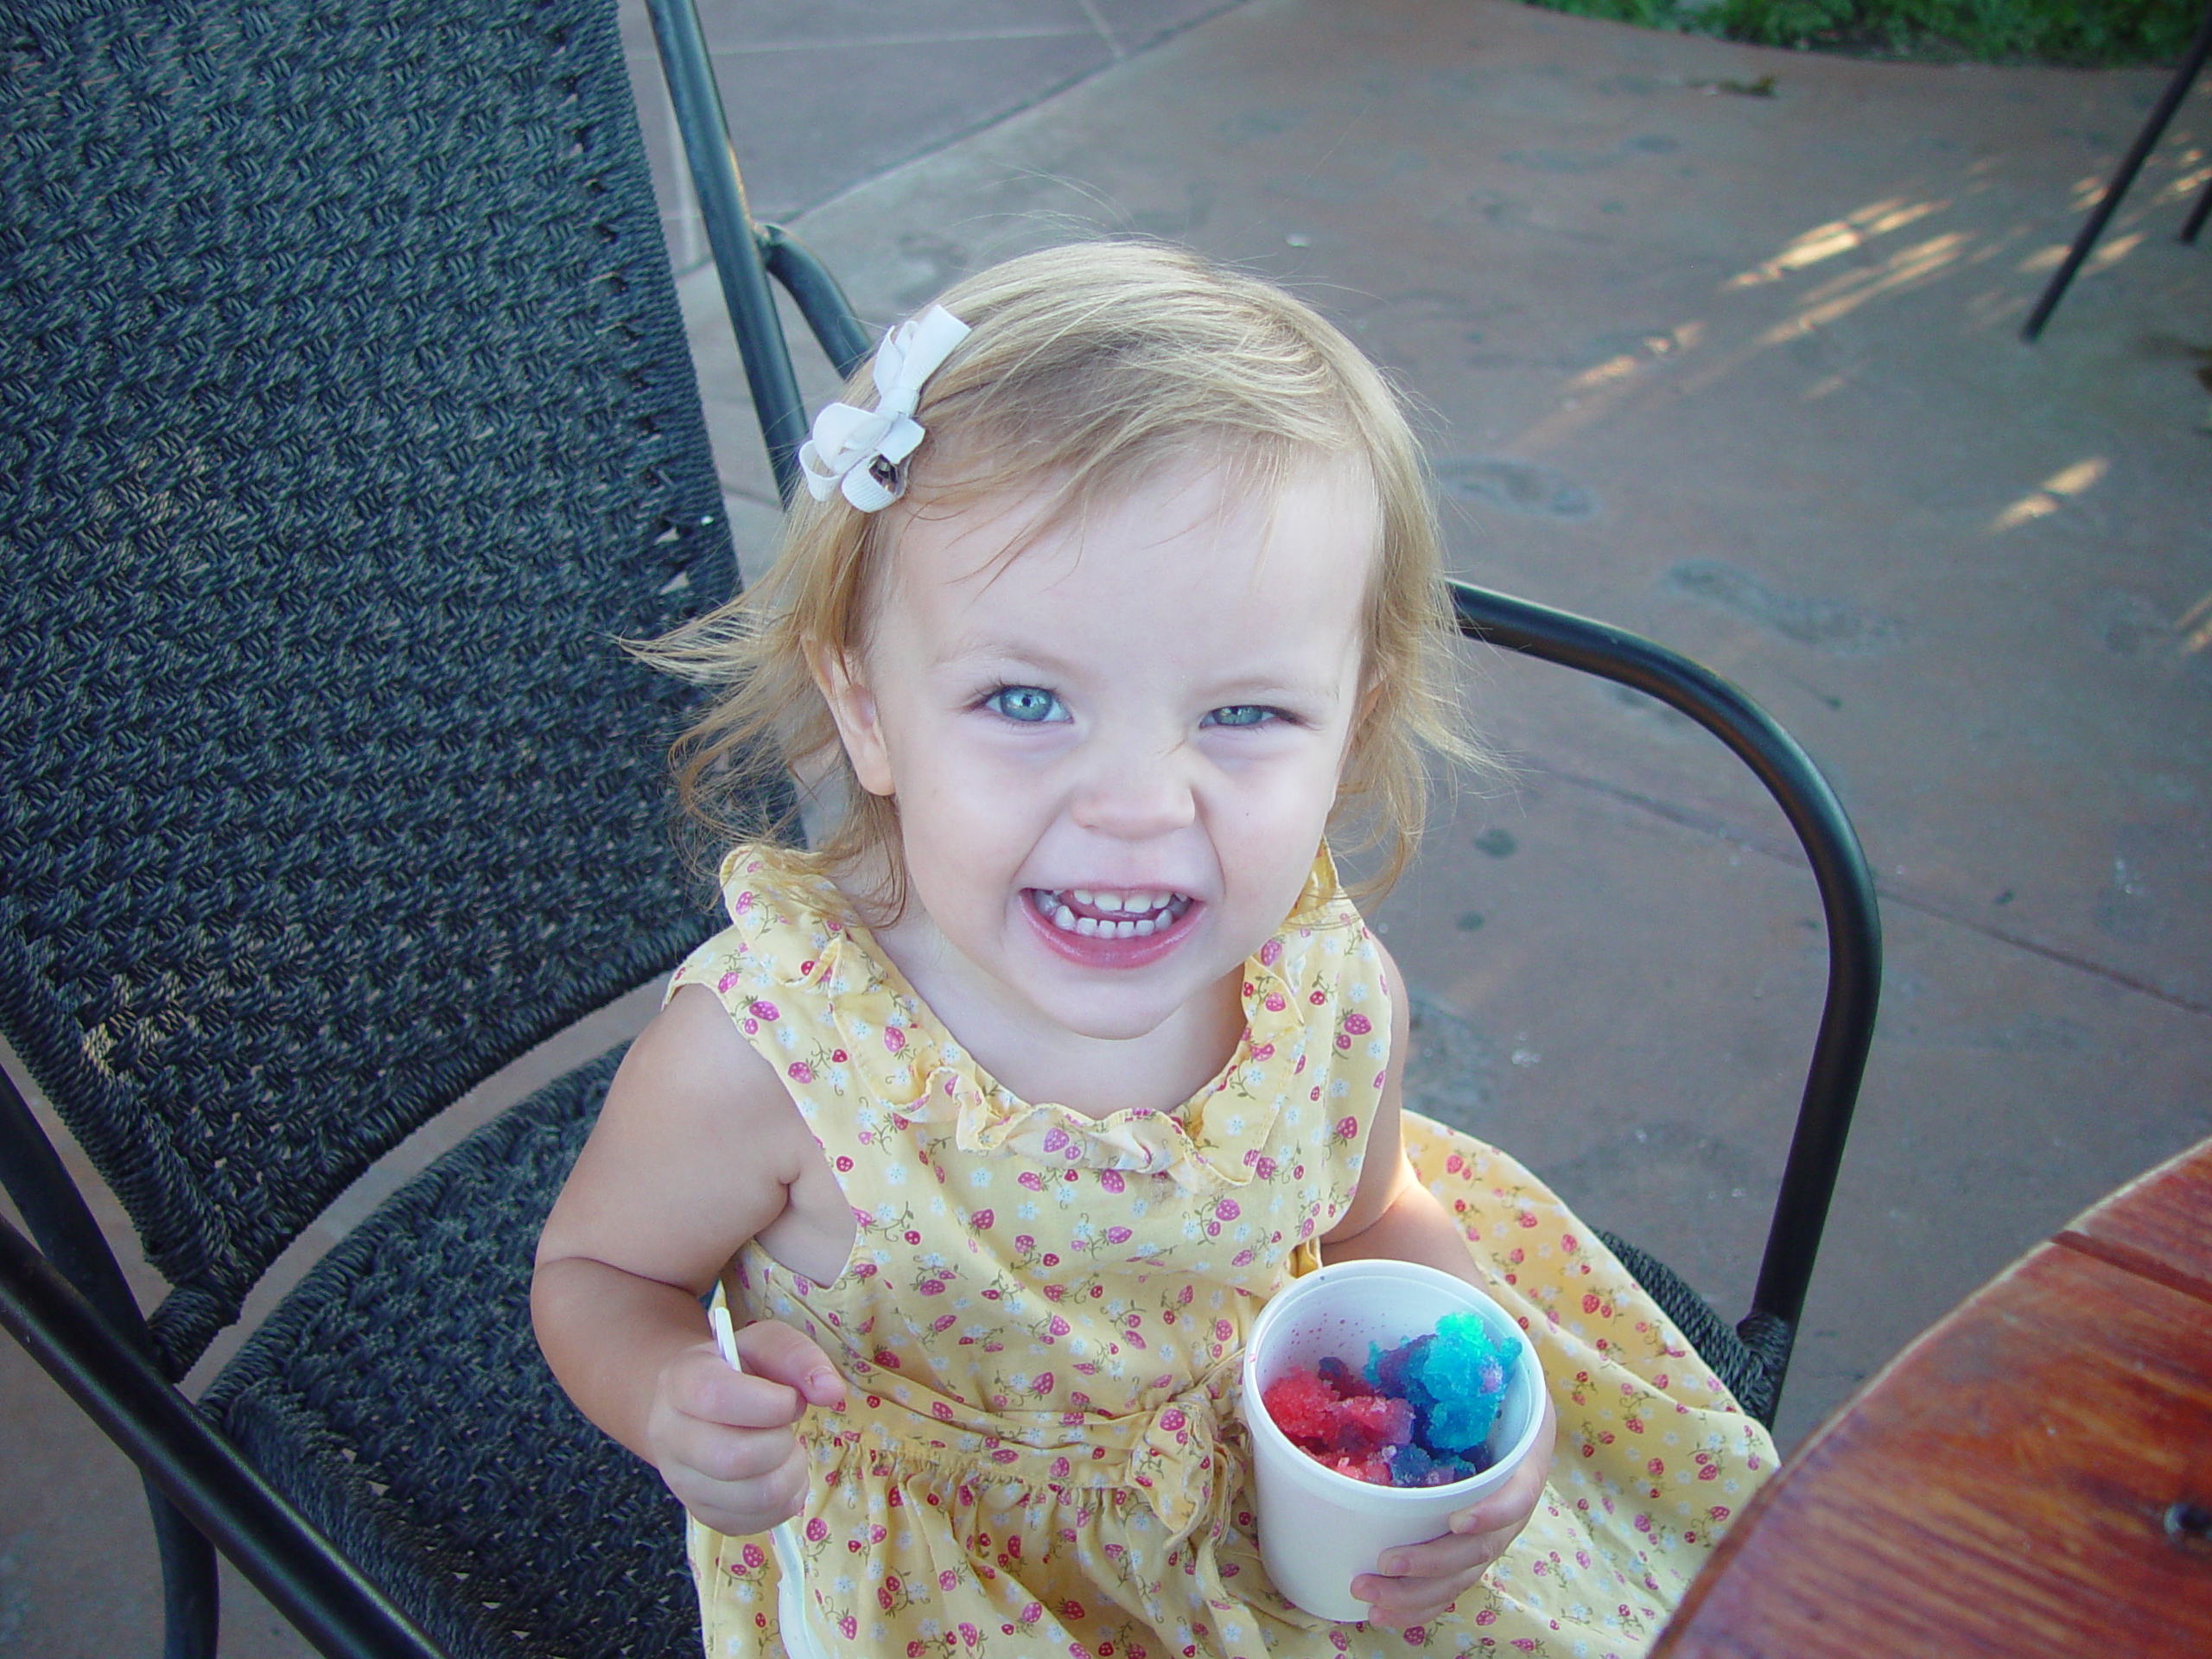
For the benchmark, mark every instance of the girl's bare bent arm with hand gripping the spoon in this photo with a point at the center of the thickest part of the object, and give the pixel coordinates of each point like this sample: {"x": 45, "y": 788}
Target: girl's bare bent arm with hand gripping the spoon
{"x": 696, "y": 1151}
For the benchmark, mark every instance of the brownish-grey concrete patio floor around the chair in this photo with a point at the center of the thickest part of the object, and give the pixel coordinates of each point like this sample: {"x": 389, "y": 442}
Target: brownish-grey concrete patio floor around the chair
{"x": 1711, "y": 342}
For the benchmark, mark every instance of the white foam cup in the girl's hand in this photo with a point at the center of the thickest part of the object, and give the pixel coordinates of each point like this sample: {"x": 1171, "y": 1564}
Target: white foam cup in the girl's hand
{"x": 1322, "y": 1530}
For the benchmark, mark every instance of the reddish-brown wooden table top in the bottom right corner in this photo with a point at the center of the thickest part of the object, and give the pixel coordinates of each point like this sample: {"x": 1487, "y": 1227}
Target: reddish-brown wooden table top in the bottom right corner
{"x": 2034, "y": 1477}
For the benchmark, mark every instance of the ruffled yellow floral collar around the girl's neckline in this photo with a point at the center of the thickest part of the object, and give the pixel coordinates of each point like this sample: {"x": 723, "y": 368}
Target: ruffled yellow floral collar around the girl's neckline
{"x": 912, "y": 1065}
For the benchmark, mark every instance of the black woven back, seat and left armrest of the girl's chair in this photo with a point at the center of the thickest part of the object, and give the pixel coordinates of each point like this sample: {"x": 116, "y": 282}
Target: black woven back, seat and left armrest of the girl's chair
{"x": 348, "y": 424}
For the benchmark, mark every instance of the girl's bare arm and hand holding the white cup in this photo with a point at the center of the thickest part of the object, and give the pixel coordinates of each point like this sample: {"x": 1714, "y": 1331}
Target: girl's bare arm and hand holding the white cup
{"x": 1395, "y": 1215}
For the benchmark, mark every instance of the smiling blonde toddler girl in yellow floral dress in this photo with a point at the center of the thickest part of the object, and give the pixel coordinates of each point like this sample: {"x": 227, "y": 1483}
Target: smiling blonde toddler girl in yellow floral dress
{"x": 1003, "y": 1112}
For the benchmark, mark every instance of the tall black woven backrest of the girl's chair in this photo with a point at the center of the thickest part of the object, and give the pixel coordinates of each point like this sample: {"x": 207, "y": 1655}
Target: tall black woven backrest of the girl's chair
{"x": 348, "y": 424}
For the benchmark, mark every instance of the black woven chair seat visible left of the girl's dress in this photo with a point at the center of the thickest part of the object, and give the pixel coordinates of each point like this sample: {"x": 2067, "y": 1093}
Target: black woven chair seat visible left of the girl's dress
{"x": 399, "y": 1399}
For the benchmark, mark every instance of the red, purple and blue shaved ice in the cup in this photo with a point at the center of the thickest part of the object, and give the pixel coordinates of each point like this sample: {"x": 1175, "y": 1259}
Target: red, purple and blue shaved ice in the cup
{"x": 1417, "y": 1415}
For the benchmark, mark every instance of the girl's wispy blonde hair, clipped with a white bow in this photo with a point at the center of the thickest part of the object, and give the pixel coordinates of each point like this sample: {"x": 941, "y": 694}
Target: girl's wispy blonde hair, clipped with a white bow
{"x": 1087, "y": 373}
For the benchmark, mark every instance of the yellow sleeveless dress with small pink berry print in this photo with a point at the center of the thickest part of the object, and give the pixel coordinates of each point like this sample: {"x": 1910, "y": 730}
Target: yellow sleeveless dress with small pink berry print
{"x": 1043, "y": 1319}
